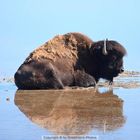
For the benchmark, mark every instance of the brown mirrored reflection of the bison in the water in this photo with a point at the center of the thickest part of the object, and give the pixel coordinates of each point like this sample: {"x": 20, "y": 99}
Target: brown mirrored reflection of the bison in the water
{"x": 68, "y": 112}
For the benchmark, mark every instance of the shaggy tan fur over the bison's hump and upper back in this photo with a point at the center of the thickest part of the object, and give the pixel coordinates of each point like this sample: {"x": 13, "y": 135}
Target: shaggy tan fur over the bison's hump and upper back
{"x": 61, "y": 46}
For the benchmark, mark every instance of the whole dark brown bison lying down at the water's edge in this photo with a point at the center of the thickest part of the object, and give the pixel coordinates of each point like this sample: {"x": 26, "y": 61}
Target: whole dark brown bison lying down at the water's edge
{"x": 72, "y": 59}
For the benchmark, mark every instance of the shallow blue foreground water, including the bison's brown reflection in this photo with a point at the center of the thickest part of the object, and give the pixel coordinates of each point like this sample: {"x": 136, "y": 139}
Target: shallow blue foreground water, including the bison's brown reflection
{"x": 102, "y": 115}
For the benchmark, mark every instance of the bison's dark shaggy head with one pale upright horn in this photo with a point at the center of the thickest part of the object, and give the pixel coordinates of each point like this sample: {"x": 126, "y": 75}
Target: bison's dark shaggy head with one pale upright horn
{"x": 109, "y": 57}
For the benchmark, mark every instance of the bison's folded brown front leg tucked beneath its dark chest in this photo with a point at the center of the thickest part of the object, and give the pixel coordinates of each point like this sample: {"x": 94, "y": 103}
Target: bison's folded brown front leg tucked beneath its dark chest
{"x": 83, "y": 79}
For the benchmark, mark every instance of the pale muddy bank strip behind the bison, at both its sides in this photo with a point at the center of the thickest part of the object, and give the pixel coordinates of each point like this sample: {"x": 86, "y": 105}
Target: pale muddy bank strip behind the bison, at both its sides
{"x": 128, "y": 79}
